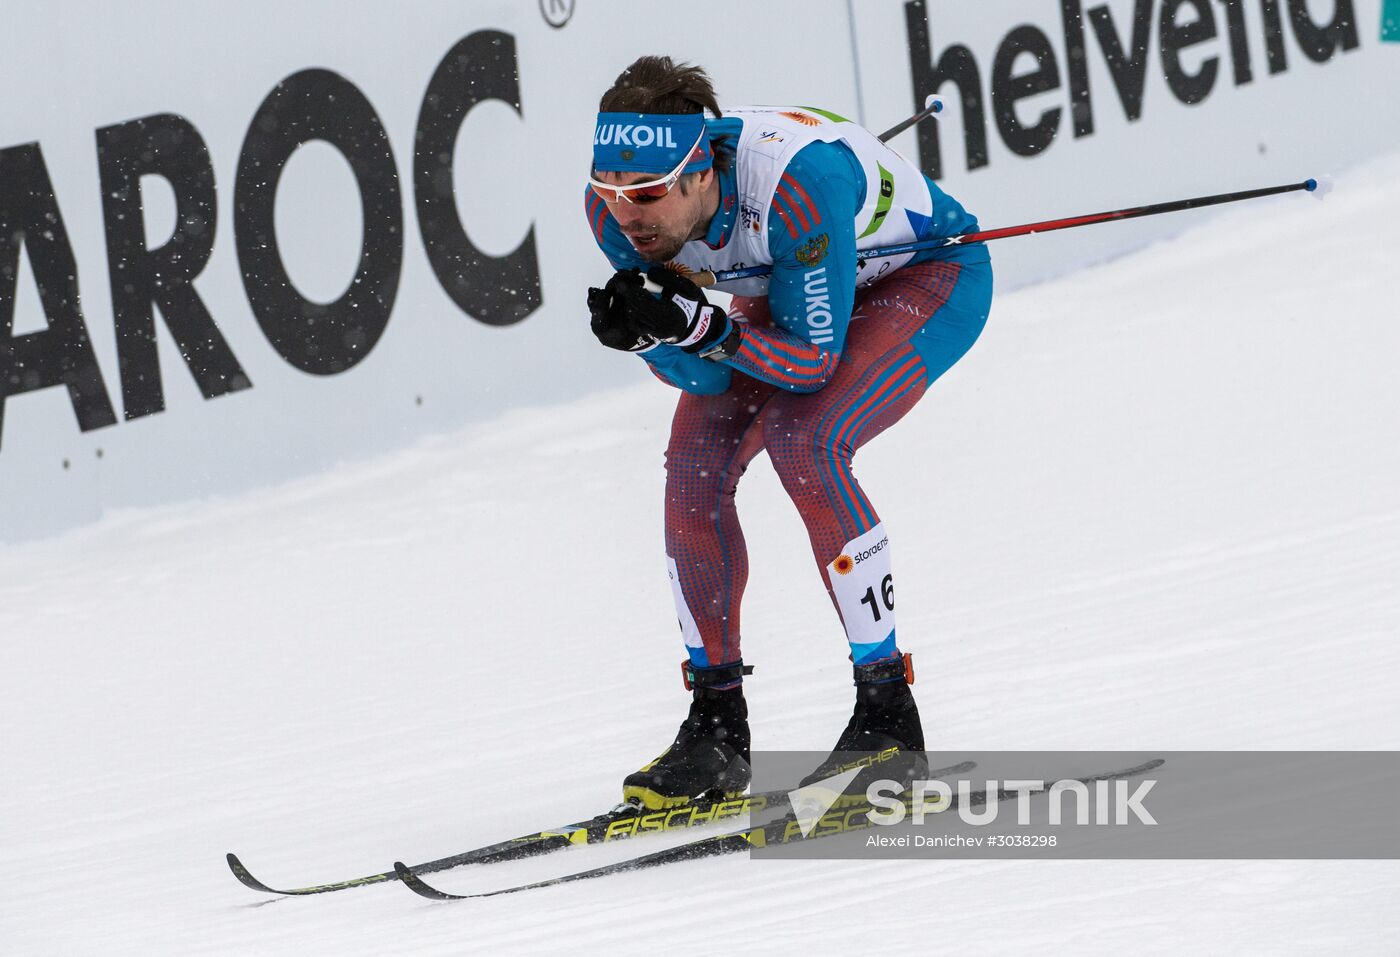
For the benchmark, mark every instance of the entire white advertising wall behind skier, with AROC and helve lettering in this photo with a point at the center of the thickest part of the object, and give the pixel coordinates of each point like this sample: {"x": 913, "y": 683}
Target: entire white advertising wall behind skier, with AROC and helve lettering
{"x": 243, "y": 243}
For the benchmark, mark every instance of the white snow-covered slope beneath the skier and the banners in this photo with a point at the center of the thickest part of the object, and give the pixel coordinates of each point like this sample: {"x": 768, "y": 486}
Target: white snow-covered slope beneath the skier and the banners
{"x": 1157, "y": 507}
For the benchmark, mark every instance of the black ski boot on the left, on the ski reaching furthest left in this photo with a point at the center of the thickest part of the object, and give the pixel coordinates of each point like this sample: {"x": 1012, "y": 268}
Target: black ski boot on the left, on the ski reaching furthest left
{"x": 710, "y": 756}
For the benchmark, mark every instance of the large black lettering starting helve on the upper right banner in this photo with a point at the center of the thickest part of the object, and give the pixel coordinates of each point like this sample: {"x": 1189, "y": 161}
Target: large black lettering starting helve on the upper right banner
{"x": 1160, "y": 31}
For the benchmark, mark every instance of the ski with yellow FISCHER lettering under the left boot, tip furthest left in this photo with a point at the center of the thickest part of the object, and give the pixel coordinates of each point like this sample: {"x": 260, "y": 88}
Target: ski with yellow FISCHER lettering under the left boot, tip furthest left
{"x": 622, "y": 823}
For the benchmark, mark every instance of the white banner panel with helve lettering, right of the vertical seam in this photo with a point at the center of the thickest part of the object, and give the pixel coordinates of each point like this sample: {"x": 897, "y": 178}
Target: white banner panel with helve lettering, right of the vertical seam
{"x": 1069, "y": 107}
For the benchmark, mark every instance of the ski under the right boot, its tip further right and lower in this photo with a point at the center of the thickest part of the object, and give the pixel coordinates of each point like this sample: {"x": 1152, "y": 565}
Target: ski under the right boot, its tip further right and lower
{"x": 779, "y": 832}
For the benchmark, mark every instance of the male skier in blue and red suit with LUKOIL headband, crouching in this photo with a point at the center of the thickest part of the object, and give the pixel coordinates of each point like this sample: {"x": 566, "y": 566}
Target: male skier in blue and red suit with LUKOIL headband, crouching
{"x": 810, "y": 363}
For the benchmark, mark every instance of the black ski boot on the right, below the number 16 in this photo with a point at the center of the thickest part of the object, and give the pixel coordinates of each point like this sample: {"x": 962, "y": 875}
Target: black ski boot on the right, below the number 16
{"x": 884, "y": 732}
